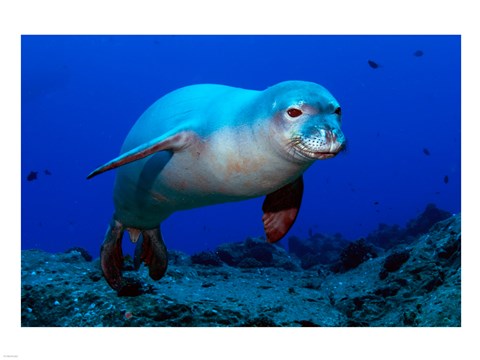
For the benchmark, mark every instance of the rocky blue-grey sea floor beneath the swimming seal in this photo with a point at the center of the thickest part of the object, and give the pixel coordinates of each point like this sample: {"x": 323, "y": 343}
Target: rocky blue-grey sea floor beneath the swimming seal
{"x": 322, "y": 281}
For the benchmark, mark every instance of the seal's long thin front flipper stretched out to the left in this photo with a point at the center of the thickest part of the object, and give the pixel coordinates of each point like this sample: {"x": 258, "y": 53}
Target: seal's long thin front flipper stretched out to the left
{"x": 174, "y": 140}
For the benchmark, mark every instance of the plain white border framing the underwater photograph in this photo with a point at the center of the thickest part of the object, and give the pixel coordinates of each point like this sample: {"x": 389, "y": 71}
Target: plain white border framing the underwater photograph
{"x": 225, "y": 17}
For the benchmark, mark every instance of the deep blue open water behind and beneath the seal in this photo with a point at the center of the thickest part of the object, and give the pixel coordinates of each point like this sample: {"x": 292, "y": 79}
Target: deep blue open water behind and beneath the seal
{"x": 82, "y": 94}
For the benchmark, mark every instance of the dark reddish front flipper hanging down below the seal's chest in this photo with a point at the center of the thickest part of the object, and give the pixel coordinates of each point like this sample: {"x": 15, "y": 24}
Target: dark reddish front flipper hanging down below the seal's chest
{"x": 280, "y": 210}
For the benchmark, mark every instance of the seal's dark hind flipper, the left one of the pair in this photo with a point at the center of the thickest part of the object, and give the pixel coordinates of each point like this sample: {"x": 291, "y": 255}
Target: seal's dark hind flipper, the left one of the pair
{"x": 111, "y": 255}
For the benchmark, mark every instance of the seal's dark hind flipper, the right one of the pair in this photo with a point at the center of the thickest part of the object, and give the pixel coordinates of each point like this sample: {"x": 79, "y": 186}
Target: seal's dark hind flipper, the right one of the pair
{"x": 154, "y": 253}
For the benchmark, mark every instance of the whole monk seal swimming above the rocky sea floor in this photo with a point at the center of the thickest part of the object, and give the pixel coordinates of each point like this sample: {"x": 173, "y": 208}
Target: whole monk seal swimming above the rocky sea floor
{"x": 208, "y": 144}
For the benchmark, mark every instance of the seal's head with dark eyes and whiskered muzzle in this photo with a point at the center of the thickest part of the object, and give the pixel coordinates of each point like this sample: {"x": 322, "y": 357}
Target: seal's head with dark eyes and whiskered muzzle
{"x": 306, "y": 121}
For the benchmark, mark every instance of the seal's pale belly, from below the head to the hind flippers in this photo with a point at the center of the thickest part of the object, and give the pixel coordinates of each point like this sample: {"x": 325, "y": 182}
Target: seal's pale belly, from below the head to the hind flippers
{"x": 206, "y": 173}
